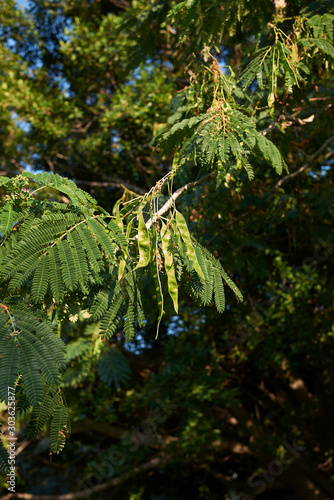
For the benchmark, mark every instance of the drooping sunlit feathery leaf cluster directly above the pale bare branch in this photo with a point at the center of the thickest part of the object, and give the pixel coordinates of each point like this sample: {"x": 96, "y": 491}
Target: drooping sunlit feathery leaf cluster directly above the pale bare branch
{"x": 223, "y": 138}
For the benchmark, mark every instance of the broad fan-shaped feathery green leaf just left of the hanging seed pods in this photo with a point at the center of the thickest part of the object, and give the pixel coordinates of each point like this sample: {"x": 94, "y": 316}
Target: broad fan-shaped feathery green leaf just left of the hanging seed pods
{"x": 57, "y": 252}
